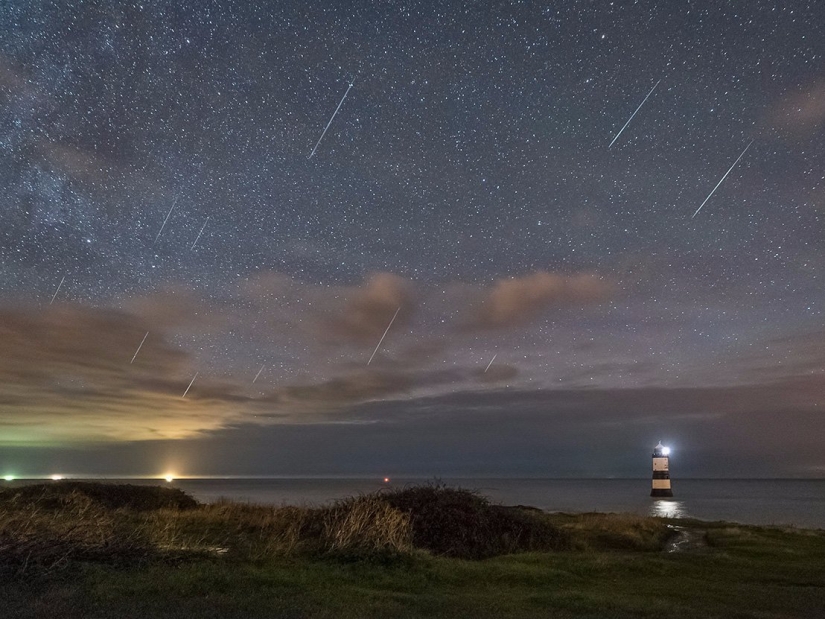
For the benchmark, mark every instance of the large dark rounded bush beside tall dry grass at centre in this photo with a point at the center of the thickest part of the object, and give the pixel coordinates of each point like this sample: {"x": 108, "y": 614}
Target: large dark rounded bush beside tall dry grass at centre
{"x": 459, "y": 523}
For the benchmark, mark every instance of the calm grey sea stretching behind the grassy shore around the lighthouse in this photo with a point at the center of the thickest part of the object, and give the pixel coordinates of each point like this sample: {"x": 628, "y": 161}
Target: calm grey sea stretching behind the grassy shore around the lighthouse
{"x": 787, "y": 502}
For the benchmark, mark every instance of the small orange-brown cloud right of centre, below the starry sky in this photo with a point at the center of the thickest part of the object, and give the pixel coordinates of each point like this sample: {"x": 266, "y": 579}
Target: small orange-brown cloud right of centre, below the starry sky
{"x": 515, "y": 301}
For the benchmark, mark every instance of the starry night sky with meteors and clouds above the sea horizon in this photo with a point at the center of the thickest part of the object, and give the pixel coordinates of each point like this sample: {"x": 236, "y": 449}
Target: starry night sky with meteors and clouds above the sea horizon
{"x": 195, "y": 276}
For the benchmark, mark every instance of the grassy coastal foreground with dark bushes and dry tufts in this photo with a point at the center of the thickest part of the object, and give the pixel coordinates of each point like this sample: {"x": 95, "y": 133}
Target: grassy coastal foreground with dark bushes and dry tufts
{"x": 86, "y": 550}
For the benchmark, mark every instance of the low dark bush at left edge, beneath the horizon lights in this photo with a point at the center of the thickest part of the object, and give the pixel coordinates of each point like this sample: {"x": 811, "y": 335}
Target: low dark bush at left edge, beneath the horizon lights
{"x": 53, "y": 495}
